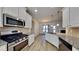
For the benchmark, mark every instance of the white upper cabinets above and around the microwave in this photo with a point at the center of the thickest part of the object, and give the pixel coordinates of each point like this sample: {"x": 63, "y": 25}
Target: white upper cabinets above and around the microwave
{"x": 18, "y": 12}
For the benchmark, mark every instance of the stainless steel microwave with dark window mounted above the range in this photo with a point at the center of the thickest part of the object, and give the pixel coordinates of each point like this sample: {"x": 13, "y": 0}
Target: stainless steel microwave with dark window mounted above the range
{"x": 9, "y": 20}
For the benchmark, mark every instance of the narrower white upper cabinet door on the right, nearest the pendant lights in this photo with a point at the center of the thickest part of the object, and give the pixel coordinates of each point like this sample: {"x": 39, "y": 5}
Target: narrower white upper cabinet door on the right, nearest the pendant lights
{"x": 65, "y": 14}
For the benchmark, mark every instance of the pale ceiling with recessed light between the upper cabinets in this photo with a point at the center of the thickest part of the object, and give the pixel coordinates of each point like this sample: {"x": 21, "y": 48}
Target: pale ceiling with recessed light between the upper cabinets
{"x": 43, "y": 12}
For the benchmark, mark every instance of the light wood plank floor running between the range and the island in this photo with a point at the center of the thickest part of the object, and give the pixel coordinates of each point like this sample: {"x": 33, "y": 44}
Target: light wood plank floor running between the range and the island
{"x": 40, "y": 45}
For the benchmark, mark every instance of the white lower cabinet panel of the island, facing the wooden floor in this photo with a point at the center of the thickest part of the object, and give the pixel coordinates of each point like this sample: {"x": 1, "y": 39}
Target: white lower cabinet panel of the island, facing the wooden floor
{"x": 53, "y": 39}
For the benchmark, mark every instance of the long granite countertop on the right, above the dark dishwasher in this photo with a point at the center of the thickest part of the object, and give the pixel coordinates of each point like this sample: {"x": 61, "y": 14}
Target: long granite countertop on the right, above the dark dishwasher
{"x": 70, "y": 39}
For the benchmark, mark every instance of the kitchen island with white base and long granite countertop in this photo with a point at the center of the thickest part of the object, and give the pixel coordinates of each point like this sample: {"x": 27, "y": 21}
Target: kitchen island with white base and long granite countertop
{"x": 72, "y": 43}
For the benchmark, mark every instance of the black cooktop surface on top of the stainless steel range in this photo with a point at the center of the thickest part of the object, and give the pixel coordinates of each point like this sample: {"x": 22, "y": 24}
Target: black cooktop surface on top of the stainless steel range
{"x": 12, "y": 37}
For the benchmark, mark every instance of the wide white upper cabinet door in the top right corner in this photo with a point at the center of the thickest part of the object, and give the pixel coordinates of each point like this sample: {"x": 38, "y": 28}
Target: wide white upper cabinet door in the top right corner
{"x": 74, "y": 16}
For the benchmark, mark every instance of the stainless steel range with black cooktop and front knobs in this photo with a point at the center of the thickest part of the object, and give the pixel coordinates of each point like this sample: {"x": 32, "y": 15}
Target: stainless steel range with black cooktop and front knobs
{"x": 15, "y": 40}
